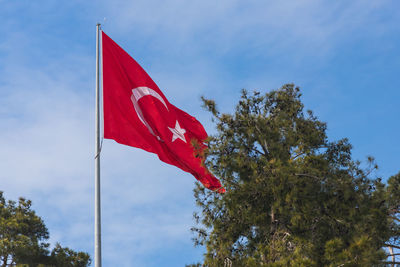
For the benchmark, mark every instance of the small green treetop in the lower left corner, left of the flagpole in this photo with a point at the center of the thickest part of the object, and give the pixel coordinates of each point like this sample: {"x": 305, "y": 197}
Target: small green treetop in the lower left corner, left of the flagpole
{"x": 22, "y": 239}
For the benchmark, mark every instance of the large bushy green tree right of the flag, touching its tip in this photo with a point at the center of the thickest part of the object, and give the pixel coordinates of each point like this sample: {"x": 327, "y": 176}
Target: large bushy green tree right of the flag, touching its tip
{"x": 293, "y": 197}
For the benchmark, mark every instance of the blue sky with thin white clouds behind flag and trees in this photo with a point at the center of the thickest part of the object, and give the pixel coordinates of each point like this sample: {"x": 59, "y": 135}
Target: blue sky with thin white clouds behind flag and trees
{"x": 343, "y": 54}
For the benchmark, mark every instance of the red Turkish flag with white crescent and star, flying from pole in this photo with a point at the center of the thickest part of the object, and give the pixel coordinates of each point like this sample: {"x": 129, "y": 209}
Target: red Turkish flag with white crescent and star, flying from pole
{"x": 136, "y": 113}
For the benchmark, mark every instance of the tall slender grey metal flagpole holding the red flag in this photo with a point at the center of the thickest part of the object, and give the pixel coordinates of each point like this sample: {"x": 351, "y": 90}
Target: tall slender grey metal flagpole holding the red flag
{"x": 97, "y": 211}
